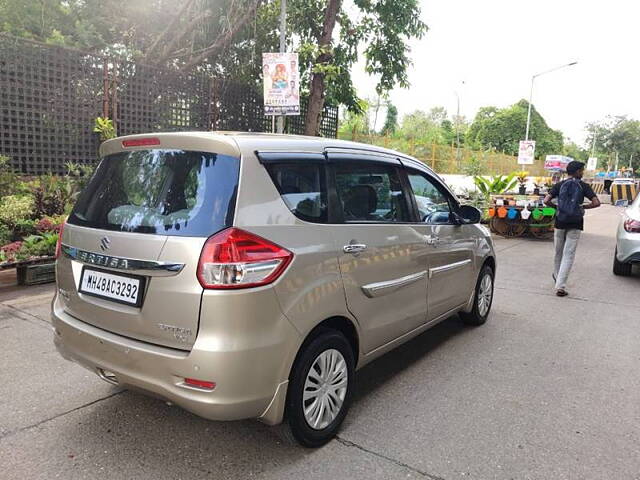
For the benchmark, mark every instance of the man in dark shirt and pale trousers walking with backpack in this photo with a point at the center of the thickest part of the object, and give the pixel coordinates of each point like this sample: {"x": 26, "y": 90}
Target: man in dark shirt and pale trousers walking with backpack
{"x": 570, "y": 194}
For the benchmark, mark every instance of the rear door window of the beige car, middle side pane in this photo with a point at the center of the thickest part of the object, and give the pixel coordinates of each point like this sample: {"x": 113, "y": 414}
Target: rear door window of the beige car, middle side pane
{"x": 370, "y": 192}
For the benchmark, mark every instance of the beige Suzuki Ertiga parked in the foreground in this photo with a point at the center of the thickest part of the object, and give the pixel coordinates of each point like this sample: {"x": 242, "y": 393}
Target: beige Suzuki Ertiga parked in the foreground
{"x": 250, "y": 275}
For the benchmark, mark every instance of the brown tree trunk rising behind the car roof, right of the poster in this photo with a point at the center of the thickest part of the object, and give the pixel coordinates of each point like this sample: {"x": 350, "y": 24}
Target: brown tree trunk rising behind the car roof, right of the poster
{"x": 316, "y": 94}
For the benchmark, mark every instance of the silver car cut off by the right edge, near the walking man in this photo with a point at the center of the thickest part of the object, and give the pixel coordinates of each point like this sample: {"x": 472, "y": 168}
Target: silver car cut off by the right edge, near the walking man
{"x": 628, "y": 240}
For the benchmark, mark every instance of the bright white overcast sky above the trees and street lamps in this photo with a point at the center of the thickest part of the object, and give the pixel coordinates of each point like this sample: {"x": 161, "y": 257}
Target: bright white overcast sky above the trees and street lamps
{"x": 495, "y": 46}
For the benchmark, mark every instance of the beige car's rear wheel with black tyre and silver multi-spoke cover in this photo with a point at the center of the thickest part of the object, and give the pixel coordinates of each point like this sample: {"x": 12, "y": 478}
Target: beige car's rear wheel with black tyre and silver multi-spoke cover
{"x": 331, "y": 357}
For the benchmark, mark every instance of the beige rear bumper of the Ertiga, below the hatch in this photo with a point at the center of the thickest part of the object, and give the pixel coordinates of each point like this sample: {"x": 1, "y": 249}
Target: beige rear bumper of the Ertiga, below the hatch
{"x": 250, "y": 382}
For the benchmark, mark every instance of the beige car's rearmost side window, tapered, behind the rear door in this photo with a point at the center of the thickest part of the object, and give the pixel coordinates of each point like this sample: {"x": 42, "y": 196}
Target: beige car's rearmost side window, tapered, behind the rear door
{"x": 303, "y": 189}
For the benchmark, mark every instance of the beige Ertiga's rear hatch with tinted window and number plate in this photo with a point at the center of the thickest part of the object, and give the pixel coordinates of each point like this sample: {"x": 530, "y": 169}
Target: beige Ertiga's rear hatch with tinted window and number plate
{"x": 131, "y": 245}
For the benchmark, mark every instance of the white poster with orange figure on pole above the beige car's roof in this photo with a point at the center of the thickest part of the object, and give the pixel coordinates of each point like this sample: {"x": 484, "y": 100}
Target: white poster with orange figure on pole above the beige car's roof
{"x": 281, "y": 83}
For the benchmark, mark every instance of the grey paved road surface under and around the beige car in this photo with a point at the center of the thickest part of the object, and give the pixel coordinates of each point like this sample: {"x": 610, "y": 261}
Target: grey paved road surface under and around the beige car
{"x": 549, "y": 388}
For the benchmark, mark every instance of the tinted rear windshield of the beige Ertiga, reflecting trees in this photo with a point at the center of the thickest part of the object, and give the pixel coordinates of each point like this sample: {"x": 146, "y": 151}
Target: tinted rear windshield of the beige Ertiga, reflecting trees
{"x": 165, "y": 192}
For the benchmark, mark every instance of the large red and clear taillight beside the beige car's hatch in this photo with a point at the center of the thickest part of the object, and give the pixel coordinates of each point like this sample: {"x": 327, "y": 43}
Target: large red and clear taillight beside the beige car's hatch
{"x": 234, "y": 258}
